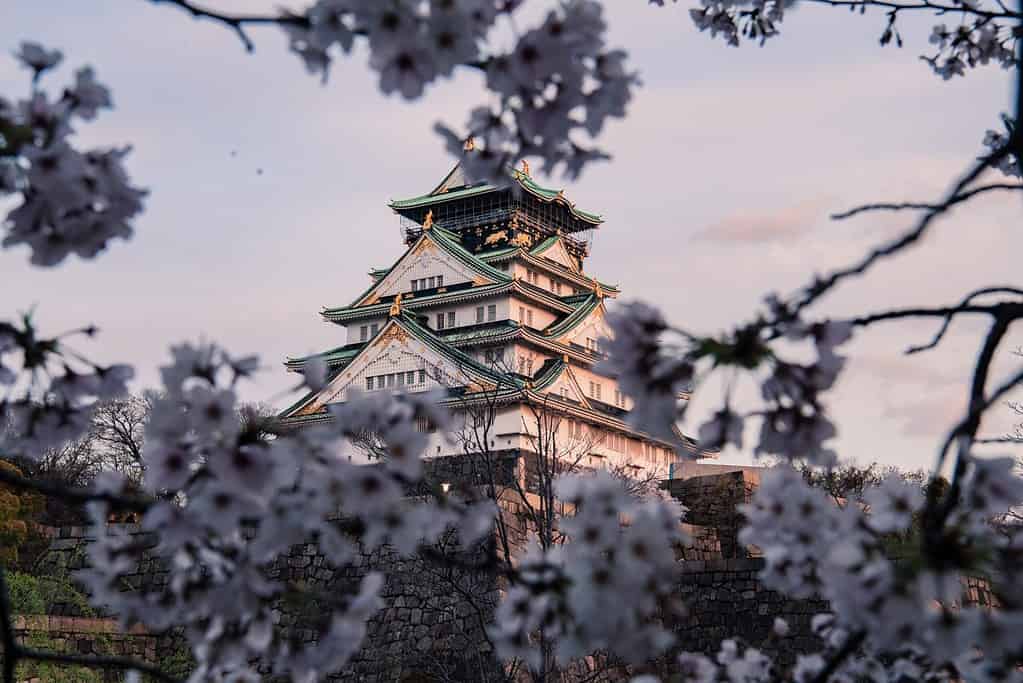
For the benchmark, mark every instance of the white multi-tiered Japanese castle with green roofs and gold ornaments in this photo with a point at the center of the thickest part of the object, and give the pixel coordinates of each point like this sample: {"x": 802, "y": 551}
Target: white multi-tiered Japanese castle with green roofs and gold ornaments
{"x": 492, "y": 303}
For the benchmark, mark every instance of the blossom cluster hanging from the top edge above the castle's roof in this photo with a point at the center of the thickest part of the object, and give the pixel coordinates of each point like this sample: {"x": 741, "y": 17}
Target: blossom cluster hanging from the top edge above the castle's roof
{"x": 558, "y": 79}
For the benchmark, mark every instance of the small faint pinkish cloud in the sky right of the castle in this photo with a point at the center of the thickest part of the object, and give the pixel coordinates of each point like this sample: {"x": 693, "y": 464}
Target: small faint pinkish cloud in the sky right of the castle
{"x": 784, "y": 226}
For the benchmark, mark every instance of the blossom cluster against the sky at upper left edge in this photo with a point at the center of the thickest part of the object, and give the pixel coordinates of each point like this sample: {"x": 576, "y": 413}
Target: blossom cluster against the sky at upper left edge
{"x": 72, "y": 202}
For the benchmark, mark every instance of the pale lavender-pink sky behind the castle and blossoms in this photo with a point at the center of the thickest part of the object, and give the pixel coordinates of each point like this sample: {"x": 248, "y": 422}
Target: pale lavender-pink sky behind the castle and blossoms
{"x": 270, "y": 193}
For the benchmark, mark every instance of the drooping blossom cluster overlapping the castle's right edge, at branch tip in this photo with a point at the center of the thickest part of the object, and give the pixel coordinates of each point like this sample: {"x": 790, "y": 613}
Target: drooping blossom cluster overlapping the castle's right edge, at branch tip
{"x": 654, "y": 372}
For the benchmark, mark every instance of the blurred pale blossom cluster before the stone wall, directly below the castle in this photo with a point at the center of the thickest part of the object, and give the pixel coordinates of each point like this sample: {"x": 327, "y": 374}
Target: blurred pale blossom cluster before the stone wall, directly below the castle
{"x": 605, "y": 589}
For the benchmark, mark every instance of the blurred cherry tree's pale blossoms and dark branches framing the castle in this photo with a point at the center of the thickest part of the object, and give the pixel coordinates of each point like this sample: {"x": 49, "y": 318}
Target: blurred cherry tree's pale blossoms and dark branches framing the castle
{"x": 225, "y": 503}
